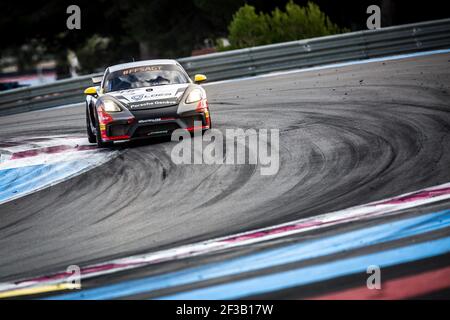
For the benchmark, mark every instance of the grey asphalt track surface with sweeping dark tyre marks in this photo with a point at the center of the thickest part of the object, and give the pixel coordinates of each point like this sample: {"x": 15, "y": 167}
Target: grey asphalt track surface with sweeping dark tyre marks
{"x": 348, "y": 136}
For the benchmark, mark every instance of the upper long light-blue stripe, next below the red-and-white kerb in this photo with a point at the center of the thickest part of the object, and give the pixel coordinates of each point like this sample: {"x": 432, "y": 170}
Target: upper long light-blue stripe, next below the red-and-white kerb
{"x": 272, "y": 257}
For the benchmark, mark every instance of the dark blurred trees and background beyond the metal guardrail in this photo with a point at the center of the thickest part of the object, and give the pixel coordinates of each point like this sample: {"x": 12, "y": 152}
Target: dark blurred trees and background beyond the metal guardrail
{"x": 37, "y": 47}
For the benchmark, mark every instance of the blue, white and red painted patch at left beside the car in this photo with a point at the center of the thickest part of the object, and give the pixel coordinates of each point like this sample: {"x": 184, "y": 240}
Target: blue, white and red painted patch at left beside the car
{"x": 46, "y": 161}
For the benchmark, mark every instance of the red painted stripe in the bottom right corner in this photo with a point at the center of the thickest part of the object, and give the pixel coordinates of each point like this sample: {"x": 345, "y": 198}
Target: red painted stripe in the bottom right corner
{"x": 401, "y": 288}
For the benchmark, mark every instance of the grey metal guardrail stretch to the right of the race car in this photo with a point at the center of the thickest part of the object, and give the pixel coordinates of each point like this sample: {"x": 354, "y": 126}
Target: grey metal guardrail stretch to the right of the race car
{"x": 330, "y": 49}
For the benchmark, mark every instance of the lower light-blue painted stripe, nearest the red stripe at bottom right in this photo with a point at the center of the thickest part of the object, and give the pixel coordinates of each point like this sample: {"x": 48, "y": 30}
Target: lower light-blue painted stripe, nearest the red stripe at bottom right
{"x": 303, "y": 276}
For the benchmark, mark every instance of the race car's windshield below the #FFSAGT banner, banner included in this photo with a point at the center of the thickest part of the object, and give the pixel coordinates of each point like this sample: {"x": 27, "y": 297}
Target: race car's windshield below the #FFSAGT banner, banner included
{"x": 146, "y": 76}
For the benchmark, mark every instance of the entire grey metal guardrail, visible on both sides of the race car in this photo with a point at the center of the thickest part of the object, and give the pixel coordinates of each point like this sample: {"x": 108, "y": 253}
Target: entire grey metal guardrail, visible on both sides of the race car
{"x": 258, "y": 60}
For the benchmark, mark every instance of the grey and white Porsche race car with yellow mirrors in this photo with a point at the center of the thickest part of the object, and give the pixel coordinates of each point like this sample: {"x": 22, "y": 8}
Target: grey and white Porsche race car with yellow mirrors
{"x": 142, "y": 100}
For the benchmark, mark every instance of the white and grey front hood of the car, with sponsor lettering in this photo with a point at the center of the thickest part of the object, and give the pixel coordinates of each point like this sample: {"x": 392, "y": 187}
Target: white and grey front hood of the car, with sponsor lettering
{"x": 151, "y": 97}
